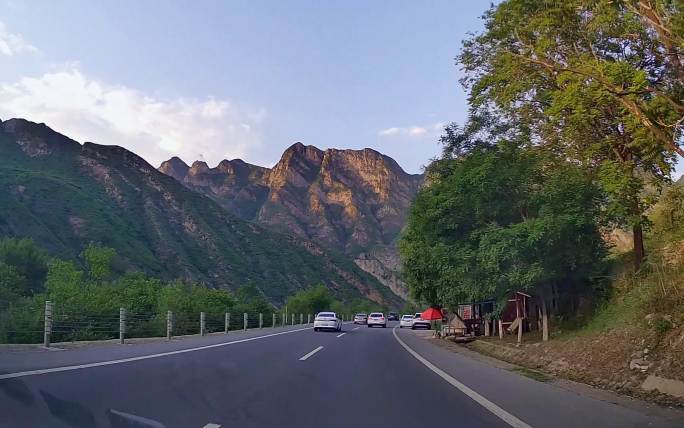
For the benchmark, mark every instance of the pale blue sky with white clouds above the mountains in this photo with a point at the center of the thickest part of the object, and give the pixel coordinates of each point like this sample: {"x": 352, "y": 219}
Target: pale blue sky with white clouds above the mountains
{"x": 224, "y": 79}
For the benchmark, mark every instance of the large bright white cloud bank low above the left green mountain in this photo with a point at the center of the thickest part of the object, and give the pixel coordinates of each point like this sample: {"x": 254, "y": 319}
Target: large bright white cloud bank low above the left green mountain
{"x": 156, "y": 129}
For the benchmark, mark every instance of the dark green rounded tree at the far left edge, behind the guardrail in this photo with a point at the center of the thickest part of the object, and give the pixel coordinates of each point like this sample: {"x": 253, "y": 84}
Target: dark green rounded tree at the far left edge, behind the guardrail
{"x": 27, "y": 262}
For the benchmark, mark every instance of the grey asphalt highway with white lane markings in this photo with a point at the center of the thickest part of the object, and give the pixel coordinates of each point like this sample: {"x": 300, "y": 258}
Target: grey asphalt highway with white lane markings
{"x": 291, "y": 377}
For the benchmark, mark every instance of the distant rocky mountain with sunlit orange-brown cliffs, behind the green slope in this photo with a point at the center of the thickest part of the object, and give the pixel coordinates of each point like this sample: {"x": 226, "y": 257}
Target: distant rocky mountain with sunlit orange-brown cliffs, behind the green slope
{"x": 355, "y": 201}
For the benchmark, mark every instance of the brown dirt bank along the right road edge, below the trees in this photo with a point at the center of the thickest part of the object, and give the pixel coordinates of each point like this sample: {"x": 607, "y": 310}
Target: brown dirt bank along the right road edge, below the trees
{"x": 618, "y": 360}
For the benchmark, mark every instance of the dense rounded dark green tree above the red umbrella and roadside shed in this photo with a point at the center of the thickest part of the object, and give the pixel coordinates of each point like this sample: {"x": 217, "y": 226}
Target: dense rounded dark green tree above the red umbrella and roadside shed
{"x": 497, "y": 220}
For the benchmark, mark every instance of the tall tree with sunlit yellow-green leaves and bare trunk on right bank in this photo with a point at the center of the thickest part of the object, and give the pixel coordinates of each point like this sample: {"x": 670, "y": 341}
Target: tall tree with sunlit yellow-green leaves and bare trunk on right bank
{"x": 599, "y": 82}
